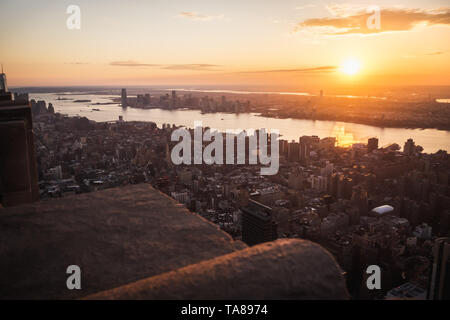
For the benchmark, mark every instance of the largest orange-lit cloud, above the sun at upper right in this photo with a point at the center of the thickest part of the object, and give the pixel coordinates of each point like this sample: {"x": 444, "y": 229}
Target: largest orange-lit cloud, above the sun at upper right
{"x": 353, "y": 20}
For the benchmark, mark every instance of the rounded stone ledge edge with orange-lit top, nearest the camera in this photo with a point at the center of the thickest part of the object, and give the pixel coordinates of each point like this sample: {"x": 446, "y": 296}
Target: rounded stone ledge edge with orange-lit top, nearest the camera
{"x": 283, "y": 269}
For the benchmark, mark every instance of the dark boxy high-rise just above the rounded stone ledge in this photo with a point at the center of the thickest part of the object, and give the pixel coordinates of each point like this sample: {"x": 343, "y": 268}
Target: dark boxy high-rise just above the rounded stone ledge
{"x": 257, "y": 224}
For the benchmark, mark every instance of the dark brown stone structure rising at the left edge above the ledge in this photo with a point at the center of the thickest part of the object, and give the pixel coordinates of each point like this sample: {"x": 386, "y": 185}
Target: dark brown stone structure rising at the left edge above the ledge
{"x": 18, "y": 173}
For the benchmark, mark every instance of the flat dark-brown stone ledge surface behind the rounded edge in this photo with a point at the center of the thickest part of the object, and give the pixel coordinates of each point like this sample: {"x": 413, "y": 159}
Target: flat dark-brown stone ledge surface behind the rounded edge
{"x": 116, "y": 236}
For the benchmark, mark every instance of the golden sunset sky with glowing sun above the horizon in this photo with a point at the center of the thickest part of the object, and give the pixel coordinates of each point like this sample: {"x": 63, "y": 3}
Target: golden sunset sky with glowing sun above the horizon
{"x": 234, "y": 42}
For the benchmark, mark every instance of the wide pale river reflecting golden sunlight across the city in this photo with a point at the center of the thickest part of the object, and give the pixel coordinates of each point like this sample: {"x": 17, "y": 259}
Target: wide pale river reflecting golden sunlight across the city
{"x": 291, "y": 129}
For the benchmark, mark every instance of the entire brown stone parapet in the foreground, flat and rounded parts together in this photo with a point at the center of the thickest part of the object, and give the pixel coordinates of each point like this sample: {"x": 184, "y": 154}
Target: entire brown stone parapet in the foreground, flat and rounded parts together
{"x": 134, "y": 242}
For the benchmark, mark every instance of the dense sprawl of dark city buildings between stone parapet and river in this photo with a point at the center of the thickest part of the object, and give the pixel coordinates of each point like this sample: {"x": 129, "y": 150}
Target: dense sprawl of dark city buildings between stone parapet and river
{"x": 367, "y": 205}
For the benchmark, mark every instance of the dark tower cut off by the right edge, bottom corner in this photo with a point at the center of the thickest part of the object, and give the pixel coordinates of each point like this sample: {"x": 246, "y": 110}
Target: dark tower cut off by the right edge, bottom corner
{"x": 439, "y": 285}
